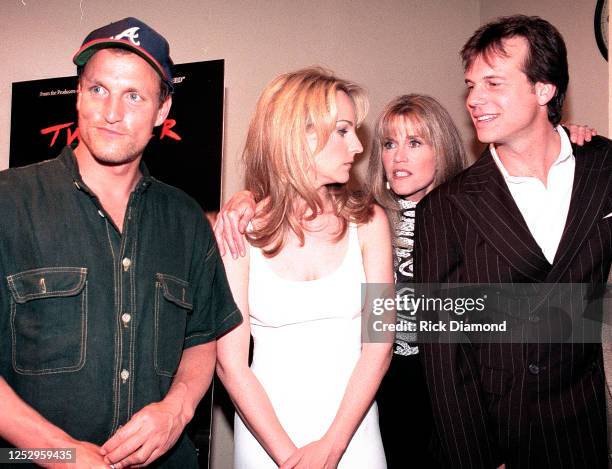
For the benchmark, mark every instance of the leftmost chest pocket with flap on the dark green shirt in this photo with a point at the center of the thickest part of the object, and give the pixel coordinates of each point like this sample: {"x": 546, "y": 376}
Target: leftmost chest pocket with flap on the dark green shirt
{"x": 48, "y": 320}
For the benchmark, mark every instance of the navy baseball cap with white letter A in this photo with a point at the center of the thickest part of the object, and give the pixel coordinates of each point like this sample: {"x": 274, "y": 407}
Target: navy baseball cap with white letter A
{"x": 135, "y": 36}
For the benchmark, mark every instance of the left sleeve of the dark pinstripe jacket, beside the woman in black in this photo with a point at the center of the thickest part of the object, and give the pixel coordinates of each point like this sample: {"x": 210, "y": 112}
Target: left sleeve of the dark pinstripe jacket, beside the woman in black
{"x": 452, "y": 377}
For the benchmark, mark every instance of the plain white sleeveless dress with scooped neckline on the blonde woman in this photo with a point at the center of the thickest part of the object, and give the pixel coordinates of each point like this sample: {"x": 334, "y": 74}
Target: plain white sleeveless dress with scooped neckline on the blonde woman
{"x": 307, "y": 340}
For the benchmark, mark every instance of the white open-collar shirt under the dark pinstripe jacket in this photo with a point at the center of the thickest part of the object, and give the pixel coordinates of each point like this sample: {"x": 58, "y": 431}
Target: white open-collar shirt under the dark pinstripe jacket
{"x": 544, "y": 208}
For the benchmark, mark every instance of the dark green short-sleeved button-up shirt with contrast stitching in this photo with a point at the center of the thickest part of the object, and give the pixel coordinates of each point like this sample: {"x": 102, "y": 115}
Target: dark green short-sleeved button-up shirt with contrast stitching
{"x": 93, "y": 321}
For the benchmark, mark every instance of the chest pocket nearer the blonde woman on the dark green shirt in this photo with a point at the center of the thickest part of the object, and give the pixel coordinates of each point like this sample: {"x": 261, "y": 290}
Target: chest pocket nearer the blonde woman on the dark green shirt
{"x": 173, "y": 302}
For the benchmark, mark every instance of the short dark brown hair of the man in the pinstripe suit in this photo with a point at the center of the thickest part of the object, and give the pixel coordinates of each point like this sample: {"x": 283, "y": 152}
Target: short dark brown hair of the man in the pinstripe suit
{"x": 546, "y": 60}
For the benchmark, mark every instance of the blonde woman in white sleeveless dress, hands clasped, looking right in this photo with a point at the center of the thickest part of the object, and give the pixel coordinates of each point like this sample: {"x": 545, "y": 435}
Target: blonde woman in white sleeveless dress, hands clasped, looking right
{"x": 308, "y": 398}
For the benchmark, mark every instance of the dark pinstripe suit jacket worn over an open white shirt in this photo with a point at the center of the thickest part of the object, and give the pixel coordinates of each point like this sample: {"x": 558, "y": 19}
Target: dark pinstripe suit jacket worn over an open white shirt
{"x": 491, "y": 407}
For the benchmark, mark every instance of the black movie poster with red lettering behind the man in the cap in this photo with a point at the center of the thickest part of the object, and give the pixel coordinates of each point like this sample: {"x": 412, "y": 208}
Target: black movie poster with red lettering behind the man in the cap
{"x": 185, "y": 151}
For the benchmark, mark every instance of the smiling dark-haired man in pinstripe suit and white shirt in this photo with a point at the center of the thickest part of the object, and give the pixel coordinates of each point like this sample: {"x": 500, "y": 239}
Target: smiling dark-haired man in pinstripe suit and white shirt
{"x": 532, "y": 209}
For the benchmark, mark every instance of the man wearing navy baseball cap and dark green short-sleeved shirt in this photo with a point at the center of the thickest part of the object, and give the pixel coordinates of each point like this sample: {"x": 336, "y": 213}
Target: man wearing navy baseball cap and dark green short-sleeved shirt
{"x": 112, "y": 293}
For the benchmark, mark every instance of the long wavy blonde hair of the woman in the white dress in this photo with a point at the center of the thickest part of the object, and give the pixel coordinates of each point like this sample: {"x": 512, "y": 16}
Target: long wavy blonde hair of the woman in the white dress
{"x": 279, "y": 162}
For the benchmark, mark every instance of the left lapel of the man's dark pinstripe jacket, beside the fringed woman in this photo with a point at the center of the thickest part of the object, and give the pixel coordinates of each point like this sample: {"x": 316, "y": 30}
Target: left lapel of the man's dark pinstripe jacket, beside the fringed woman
{"x": 488, "y": 204}
